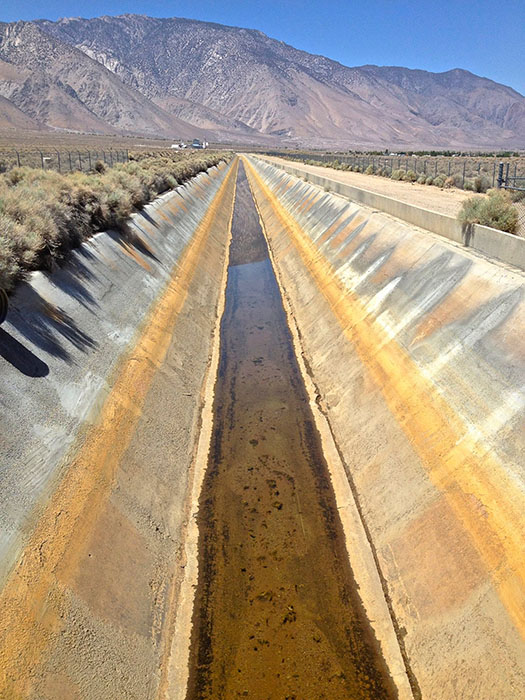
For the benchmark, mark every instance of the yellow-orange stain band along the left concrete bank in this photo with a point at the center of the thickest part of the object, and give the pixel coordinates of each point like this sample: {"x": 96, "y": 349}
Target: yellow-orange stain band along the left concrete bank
{"x": 33, "y": 601}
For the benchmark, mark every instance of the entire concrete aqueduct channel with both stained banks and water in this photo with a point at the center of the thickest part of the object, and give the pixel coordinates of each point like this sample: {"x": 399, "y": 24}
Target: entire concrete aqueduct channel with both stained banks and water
{"x": 274, "y": 450}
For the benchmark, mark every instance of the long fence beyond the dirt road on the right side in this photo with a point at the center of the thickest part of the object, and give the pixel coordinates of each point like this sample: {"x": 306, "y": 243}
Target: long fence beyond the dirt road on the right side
{"x": 463, "y": 170}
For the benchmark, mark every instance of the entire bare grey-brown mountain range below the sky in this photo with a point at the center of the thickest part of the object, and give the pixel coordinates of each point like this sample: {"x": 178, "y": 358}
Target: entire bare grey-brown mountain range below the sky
{"x": 183, "y": 78}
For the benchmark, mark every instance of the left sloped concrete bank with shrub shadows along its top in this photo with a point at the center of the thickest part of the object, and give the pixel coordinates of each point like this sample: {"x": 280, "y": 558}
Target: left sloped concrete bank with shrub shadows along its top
{"x": 103, "y": 364}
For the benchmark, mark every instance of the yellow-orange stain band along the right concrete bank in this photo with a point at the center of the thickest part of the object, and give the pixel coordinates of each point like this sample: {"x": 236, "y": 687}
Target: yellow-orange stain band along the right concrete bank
{"x": 488, "y": 504}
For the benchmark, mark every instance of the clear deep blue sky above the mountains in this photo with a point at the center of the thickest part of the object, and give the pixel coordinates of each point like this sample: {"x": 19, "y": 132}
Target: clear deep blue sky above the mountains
{"x": 483, "y": 36}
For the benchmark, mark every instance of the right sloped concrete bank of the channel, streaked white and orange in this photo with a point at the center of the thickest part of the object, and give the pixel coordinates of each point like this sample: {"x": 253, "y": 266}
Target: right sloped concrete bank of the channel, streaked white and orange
{"x": 417, "y": 350}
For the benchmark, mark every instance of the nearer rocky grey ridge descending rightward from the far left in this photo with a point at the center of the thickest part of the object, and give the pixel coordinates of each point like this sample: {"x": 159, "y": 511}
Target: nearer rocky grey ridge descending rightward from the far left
{"x": 60, "y": 87}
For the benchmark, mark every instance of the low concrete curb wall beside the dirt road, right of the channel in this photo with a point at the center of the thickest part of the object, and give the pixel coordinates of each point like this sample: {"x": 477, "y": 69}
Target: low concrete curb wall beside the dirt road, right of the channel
{"x": 495, "y": 244}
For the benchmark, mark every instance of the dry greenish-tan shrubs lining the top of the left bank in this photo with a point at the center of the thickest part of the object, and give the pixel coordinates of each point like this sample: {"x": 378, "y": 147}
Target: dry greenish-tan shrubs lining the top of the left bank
{"x": 44, "y": 214}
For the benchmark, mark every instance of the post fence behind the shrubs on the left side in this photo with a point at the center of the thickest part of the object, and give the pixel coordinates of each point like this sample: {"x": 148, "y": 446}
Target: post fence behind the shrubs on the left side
{"x": 60, "y": 160}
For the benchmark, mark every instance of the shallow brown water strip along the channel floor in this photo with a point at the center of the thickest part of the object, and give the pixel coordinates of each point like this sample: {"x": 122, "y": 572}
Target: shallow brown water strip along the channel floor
{"x": 277, "y": 614}
